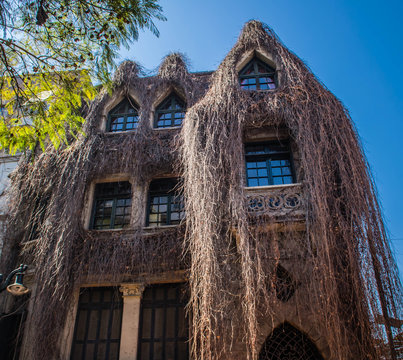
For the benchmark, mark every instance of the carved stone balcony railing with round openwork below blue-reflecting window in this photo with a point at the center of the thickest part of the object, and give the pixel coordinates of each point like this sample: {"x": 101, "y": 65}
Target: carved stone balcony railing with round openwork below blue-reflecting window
{"x": 276, "y": 201}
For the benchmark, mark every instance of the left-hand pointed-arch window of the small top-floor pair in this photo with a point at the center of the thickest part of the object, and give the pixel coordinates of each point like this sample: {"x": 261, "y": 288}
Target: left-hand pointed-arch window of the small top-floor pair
{"x": 123, "y": 117}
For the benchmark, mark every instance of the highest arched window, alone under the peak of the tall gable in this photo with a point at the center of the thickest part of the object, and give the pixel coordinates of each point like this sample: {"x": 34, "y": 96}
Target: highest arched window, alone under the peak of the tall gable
{"x": 257, "y": 75}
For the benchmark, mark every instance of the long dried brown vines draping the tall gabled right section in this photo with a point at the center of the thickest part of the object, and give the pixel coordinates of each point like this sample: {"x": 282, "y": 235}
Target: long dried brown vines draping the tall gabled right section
{"x": 352, "y": 276}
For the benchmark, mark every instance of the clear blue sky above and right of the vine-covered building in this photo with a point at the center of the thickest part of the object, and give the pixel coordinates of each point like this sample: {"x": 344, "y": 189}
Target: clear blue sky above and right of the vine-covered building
{"x": 354, "y": 47}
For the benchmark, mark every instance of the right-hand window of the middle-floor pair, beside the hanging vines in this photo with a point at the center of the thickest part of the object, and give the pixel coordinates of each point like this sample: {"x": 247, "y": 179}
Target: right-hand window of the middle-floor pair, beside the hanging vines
{"x": 166, "y": 205}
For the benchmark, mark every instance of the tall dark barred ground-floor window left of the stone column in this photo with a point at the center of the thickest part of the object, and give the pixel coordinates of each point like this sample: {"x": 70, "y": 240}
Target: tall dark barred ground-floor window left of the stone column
{"x": 98, "y": 324}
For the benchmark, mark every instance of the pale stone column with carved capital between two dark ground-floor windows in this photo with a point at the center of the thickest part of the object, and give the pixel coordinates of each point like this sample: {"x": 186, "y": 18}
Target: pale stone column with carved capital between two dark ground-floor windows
{"x": 130, "y": 320}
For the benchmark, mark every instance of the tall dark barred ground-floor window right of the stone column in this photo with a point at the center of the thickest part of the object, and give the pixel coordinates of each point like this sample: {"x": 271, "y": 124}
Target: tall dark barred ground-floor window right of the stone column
{"x": 163, "y": 331}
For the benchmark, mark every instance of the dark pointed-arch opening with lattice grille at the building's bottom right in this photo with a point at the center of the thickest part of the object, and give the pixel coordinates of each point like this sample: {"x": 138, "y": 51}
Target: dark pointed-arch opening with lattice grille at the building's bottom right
{"x": 287, "y": 343}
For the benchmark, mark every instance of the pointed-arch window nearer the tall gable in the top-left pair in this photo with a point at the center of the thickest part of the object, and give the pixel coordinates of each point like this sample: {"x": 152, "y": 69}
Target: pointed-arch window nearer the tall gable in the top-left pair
{"x": 170, "y": 112}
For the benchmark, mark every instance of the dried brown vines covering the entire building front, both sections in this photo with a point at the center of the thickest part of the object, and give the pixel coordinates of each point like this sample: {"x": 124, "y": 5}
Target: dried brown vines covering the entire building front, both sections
{"x": 347, "y": 270}
